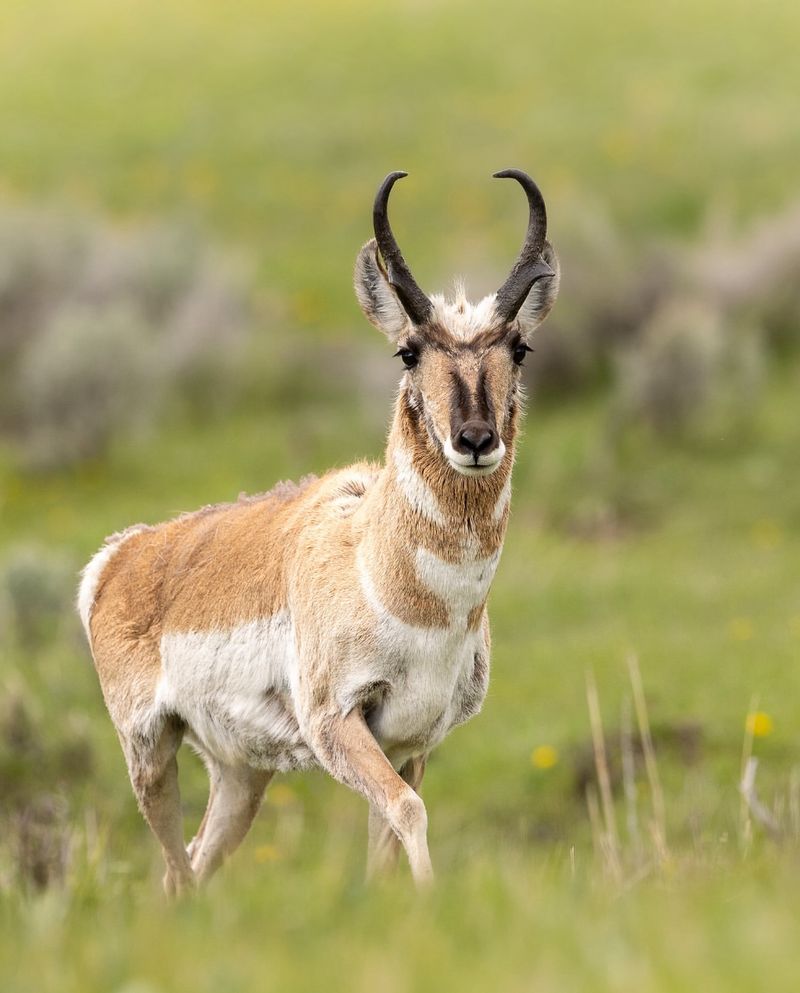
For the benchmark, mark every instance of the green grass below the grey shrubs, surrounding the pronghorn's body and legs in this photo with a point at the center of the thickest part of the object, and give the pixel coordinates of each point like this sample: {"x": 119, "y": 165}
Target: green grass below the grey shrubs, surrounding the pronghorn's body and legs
{"x": 291, "y": 911}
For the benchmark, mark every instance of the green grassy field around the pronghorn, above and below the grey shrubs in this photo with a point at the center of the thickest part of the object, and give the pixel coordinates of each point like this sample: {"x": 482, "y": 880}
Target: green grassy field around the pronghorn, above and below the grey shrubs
{"x": 269, "y": 126}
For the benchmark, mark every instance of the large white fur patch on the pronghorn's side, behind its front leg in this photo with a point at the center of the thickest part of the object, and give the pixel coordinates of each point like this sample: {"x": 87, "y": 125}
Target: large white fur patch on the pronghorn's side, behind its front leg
{"x": 233, "y": 689}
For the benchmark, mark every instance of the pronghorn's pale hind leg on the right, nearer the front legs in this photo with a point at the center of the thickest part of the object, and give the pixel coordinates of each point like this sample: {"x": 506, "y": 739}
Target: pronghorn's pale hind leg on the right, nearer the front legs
{"x": 234, "y": 800}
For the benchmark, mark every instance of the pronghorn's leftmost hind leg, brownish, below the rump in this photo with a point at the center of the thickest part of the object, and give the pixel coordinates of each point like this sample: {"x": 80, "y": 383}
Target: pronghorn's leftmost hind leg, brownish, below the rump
{"x": 153, "y": 770}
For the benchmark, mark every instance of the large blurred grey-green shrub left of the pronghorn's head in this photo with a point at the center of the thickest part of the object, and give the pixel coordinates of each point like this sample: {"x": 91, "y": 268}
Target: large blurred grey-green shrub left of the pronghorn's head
{"x": 100, "y": 325}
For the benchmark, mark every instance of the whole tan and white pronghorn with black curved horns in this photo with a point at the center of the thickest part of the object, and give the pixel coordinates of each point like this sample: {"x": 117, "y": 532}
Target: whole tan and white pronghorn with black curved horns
{"x": 340, "y": 622}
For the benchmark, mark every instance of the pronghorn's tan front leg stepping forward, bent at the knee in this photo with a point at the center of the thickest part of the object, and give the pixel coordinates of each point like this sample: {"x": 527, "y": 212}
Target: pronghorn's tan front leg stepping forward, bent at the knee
{"x": 348, "y": 751}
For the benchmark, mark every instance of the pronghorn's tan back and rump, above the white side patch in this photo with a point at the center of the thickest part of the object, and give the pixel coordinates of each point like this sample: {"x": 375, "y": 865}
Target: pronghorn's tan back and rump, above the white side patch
{"x": 217, "y": 569}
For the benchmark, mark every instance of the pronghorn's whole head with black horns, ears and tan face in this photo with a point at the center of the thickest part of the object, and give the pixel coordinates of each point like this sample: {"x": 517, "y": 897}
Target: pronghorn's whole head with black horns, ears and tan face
{"x": 462, "y": 360}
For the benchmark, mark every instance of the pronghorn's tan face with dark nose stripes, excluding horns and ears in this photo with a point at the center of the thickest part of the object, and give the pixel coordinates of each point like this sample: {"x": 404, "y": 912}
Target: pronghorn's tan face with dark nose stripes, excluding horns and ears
{"x": 466, "y": 391}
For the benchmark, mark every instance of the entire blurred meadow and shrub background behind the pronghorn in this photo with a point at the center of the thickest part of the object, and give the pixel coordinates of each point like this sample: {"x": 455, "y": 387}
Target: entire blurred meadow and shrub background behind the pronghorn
{"x": 183, "y": 191}
